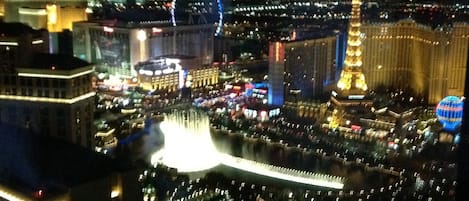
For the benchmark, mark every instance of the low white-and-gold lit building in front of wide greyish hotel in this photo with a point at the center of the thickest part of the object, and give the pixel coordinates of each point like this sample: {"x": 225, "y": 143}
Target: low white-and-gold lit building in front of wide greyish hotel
{"x": 171, "y": 74}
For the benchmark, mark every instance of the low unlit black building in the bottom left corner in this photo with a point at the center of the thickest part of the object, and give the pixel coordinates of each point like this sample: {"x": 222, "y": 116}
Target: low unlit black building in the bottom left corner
{"x": 39, "y": 168}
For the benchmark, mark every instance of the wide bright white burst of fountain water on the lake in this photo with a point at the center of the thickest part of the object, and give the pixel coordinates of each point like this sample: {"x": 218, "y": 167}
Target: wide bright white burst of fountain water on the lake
{"x": 188, "y": 146}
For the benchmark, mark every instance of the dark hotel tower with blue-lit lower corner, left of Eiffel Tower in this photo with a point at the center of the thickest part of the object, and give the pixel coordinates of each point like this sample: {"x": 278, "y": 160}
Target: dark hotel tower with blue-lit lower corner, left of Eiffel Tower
{"x": 301, "y": 69}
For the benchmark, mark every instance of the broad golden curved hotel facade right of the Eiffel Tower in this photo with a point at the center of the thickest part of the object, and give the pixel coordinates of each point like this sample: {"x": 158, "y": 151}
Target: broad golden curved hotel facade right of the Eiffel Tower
{"x": 405, "y": 54}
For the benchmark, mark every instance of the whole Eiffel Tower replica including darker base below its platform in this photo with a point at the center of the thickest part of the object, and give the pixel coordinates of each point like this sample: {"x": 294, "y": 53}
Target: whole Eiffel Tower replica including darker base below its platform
{"x": 349, "y": 97}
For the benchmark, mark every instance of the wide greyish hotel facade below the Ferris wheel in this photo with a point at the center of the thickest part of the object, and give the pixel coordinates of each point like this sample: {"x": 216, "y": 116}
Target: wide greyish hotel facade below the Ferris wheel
{"x": 117, "y": 47}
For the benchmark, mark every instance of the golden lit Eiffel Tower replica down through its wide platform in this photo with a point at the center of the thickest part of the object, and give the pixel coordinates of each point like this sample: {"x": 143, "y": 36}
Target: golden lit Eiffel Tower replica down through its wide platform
{"x": 351, "y": 88}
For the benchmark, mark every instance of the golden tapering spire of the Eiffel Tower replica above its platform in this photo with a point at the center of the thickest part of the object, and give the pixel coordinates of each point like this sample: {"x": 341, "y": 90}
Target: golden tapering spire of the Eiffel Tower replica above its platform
{"x": 351, "y": 77}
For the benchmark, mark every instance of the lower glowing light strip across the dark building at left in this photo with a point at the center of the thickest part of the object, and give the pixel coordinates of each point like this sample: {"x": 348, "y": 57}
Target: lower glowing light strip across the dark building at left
{"x": 48, "y": 100}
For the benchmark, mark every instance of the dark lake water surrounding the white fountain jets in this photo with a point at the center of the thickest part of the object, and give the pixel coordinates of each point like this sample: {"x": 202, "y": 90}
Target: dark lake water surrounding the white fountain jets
{"x": 274, "y": 154}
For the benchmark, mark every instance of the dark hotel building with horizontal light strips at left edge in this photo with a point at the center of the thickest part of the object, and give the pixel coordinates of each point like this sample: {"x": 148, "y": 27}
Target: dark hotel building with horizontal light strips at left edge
{"x": 47, "y": 93}
